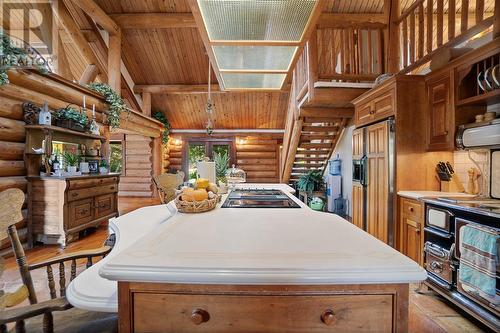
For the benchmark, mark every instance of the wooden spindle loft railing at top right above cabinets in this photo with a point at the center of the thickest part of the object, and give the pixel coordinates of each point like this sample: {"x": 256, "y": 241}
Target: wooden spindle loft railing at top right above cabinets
{"x": 428, "y": 25}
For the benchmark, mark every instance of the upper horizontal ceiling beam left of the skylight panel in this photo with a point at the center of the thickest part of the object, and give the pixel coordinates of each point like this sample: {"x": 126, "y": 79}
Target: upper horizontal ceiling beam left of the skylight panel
{"x": 154, "y": 20}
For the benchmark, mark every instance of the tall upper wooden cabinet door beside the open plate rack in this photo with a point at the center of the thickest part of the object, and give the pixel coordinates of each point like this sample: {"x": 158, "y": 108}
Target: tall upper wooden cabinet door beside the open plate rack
{"x": 441, "y": 120}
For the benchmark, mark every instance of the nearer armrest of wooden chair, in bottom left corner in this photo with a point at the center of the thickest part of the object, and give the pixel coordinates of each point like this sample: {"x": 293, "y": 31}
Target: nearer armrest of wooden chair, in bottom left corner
{"x": 25, "y": 312}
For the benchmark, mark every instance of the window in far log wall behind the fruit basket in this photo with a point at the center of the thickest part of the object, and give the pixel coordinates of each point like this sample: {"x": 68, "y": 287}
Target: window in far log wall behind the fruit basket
{"x": 197, "y": 149}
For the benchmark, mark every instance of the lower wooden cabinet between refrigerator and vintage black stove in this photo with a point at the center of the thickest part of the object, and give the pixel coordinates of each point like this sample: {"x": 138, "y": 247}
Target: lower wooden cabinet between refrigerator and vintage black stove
{"x": 411, "y": 224}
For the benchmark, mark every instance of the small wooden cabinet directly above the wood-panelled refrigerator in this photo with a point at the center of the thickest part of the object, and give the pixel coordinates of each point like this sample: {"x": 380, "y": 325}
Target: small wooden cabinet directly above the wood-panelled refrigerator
{"x": 378, "y": 106}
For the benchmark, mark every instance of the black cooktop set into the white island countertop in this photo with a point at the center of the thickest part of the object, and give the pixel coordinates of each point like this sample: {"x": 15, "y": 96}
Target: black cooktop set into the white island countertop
{"x": 258, "y": 198}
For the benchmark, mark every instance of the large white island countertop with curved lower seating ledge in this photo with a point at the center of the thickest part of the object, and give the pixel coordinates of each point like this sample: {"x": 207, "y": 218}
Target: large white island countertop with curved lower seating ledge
{"x": 239, "y": 246}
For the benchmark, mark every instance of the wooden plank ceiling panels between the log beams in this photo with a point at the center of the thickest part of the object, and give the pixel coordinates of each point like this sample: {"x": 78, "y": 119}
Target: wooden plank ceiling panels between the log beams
{"x": 178, "y": 56}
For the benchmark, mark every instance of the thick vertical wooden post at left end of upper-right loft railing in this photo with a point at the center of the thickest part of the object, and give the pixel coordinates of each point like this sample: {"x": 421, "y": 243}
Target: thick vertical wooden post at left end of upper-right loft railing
{"x": 392, "y": 12}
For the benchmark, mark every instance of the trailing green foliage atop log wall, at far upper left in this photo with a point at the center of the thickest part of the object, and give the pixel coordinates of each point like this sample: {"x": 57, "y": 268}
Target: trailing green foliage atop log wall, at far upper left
{"x": 13, "y": 56}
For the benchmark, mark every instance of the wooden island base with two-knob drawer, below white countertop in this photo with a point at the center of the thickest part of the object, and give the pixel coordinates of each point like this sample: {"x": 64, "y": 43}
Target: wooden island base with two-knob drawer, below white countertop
{"x": 163, "y": 307}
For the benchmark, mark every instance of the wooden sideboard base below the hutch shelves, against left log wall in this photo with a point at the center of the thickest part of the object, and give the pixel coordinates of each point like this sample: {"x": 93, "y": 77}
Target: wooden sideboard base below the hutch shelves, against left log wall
{"x": 59, "y": 208}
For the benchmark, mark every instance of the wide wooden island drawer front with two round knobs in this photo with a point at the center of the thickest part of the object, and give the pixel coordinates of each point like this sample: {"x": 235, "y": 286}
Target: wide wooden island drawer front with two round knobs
{"x": 245, "y": 313}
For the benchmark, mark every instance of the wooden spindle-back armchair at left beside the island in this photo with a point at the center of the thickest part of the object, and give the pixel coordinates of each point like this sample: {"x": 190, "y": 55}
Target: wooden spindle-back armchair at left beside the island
{"x": 11, "y": 202}
